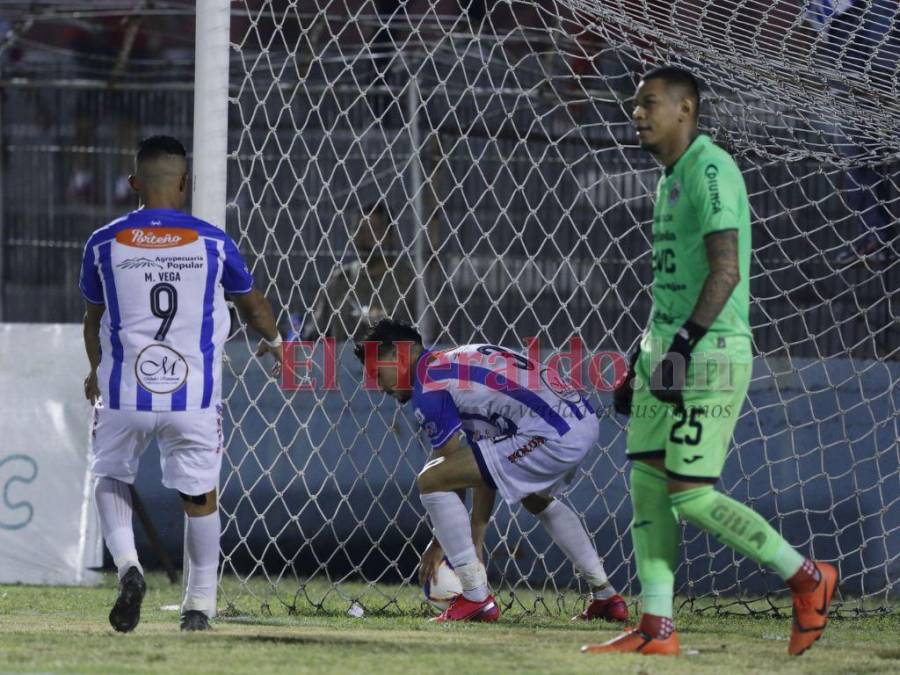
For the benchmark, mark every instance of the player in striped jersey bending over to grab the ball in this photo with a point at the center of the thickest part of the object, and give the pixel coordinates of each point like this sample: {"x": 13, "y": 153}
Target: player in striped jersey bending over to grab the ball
{"x": 496, "y": 421}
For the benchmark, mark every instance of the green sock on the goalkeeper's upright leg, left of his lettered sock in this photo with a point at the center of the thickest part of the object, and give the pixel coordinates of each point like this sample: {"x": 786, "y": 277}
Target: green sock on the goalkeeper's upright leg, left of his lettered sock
{"x": 656, "y": 535}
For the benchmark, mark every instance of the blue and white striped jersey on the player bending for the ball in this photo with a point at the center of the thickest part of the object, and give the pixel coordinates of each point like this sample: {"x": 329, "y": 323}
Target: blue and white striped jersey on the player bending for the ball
{"x": 489, "y": 392}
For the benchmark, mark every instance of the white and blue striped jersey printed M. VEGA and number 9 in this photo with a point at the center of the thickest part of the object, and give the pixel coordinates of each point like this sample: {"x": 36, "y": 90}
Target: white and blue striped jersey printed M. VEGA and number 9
{"x": 162, "y": 275}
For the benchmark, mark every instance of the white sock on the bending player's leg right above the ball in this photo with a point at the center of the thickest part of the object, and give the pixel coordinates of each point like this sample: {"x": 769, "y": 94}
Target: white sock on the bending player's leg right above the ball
{"x": 453, "y": 531}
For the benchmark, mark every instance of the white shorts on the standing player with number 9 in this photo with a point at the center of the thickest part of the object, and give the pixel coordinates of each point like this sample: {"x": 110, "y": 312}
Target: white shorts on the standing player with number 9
{"x": 190, "y": 446}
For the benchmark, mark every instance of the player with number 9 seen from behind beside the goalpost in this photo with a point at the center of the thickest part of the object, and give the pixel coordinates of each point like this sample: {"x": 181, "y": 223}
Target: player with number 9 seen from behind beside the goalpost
{"x": 155, "y": 282}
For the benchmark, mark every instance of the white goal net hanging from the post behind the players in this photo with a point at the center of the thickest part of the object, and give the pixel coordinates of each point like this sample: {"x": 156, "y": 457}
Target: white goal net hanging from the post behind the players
{"x": 492, "y": 143}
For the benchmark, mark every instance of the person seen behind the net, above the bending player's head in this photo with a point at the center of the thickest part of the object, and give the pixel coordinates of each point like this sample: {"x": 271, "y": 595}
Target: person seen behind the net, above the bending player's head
{"x": 359, "y": 293}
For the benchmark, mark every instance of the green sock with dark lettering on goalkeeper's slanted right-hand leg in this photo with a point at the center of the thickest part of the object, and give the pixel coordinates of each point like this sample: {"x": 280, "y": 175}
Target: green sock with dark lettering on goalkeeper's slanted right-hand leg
{"x": 739, "y": 527}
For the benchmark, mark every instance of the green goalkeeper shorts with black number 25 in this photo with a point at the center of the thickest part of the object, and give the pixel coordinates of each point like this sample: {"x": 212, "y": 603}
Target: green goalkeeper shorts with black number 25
{"x": 694, "y": 442}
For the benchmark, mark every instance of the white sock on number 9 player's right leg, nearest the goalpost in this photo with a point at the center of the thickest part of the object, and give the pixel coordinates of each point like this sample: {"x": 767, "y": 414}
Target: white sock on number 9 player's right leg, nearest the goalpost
{"x": 203, "y": 557}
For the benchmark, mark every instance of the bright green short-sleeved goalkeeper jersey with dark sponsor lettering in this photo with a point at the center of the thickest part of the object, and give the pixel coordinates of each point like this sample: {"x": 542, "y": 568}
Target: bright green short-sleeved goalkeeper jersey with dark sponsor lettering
{"x": 703, "y": 192}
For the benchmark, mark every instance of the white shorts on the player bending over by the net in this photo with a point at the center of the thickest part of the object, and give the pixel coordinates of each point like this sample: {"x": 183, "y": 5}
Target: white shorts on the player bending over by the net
{"x": 523, "y": 465}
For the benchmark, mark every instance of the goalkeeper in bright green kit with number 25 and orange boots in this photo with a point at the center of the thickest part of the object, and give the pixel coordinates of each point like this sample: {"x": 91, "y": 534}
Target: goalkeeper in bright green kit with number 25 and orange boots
{"x": 688, "y": 380}
